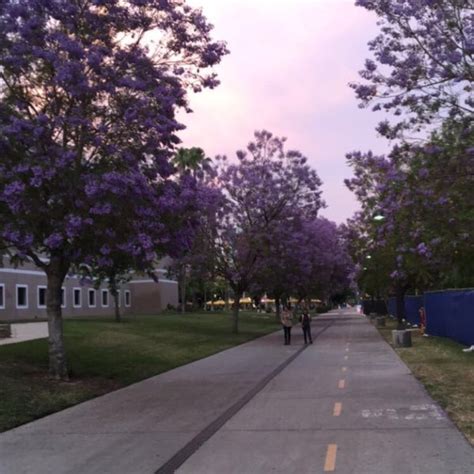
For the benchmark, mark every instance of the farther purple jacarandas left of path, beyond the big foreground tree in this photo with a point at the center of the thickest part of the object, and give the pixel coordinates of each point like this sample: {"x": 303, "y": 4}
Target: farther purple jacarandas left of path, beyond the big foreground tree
{"x": 264, "y": 235}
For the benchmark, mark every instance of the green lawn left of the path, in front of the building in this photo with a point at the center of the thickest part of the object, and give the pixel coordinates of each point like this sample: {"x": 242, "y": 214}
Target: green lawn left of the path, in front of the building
{"x": 104, "y": 355}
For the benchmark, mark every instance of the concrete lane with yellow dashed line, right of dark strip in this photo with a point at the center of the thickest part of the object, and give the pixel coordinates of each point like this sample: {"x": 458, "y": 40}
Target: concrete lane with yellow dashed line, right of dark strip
{"x": 348, "y": 404}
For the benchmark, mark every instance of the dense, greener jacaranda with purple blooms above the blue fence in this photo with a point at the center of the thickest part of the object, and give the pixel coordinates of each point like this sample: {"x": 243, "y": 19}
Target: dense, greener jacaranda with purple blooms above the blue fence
{"x": 424, "y": 197}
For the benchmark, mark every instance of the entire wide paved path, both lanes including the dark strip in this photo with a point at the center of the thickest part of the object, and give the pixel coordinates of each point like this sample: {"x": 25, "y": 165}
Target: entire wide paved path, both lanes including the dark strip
{"x": 346, "y": 404}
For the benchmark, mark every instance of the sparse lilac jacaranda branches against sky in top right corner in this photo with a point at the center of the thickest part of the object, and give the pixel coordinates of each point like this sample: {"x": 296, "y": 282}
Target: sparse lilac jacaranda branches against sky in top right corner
{"x": 422, "y": 69}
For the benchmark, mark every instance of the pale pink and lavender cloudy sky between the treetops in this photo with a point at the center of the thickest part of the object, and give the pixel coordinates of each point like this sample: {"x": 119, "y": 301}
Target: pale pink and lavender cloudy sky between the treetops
{"x": 288, "y": 71}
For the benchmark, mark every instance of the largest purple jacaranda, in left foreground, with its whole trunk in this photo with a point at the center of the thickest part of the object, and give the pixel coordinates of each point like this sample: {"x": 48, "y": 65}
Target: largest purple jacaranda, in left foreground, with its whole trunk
{"x": 88, "y": 95}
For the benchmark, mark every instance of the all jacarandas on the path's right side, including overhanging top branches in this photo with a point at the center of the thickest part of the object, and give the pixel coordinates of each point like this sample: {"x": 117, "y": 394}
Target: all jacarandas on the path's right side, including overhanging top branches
{"x": 415, "y": 229}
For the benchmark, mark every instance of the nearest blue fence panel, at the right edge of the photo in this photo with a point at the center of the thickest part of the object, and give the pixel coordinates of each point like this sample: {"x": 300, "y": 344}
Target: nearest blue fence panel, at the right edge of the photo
{"x": 451, "y": 314}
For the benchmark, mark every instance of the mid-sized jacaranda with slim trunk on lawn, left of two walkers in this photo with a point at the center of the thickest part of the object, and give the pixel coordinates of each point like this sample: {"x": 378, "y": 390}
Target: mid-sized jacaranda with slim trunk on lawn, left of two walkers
{"x": 268, "y": 187}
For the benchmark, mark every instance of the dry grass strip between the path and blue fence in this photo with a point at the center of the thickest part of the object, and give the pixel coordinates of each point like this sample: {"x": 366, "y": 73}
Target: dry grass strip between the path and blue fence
{"x": 447, "y": 373}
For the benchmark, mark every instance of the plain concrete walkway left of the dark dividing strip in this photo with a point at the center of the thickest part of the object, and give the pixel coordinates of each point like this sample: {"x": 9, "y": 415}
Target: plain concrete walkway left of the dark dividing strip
{"x": 138, "y": 428}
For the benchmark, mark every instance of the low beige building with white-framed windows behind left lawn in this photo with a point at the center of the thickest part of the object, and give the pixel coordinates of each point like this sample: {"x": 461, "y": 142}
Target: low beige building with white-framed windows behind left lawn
{"x": 23, "y": 294}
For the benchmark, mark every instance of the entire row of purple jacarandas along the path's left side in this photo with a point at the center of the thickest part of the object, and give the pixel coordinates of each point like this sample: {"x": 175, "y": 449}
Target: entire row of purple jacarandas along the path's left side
{"x": 90, "y": 178}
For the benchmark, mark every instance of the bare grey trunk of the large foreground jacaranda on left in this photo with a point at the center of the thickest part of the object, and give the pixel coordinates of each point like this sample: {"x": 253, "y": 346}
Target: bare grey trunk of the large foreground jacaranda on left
{"x": 56, "y": 272}
